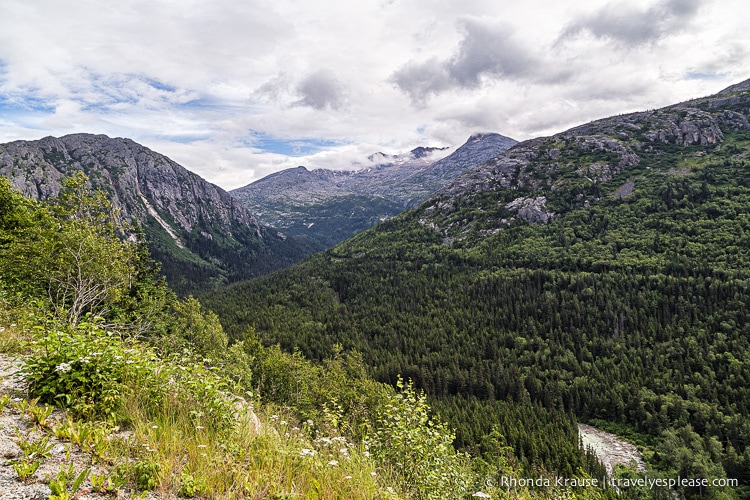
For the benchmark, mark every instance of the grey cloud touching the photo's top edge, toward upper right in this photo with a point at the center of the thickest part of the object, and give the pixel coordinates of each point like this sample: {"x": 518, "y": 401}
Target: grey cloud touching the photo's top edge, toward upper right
{"x": 630, "y": 25}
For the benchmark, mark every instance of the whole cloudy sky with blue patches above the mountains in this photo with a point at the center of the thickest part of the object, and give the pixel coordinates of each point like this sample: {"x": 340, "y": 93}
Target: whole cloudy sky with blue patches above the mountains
{"x": 235, "y": 90}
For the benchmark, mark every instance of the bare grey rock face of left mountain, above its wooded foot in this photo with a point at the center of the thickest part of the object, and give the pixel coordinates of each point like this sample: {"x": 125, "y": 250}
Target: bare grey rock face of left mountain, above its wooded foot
{"x": 136, "y": 177}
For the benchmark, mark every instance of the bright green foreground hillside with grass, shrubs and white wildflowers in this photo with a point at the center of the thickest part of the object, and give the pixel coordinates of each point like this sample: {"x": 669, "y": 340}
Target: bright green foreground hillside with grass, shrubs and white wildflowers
{"x": 119, "y": 389}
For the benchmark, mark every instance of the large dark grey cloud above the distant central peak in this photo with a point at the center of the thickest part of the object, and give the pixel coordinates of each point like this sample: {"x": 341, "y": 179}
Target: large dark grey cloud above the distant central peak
{"x": 488, "y": 50}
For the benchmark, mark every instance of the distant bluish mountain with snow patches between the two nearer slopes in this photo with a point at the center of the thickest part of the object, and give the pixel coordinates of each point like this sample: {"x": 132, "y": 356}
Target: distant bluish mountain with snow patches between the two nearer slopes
{"x": 328, "y": 206}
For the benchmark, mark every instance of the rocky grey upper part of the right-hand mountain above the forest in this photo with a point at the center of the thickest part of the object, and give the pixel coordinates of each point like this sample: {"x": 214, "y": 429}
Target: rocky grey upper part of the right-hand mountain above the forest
{"x": 539, "y": 178}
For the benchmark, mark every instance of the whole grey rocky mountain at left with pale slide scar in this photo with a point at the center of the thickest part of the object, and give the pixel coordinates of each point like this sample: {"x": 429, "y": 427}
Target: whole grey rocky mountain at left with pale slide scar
{"x": 202, "y": 236}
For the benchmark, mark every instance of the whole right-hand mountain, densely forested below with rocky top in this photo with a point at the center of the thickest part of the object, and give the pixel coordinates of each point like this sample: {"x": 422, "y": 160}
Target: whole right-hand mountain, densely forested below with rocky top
{"x": 603, "y": 272}
